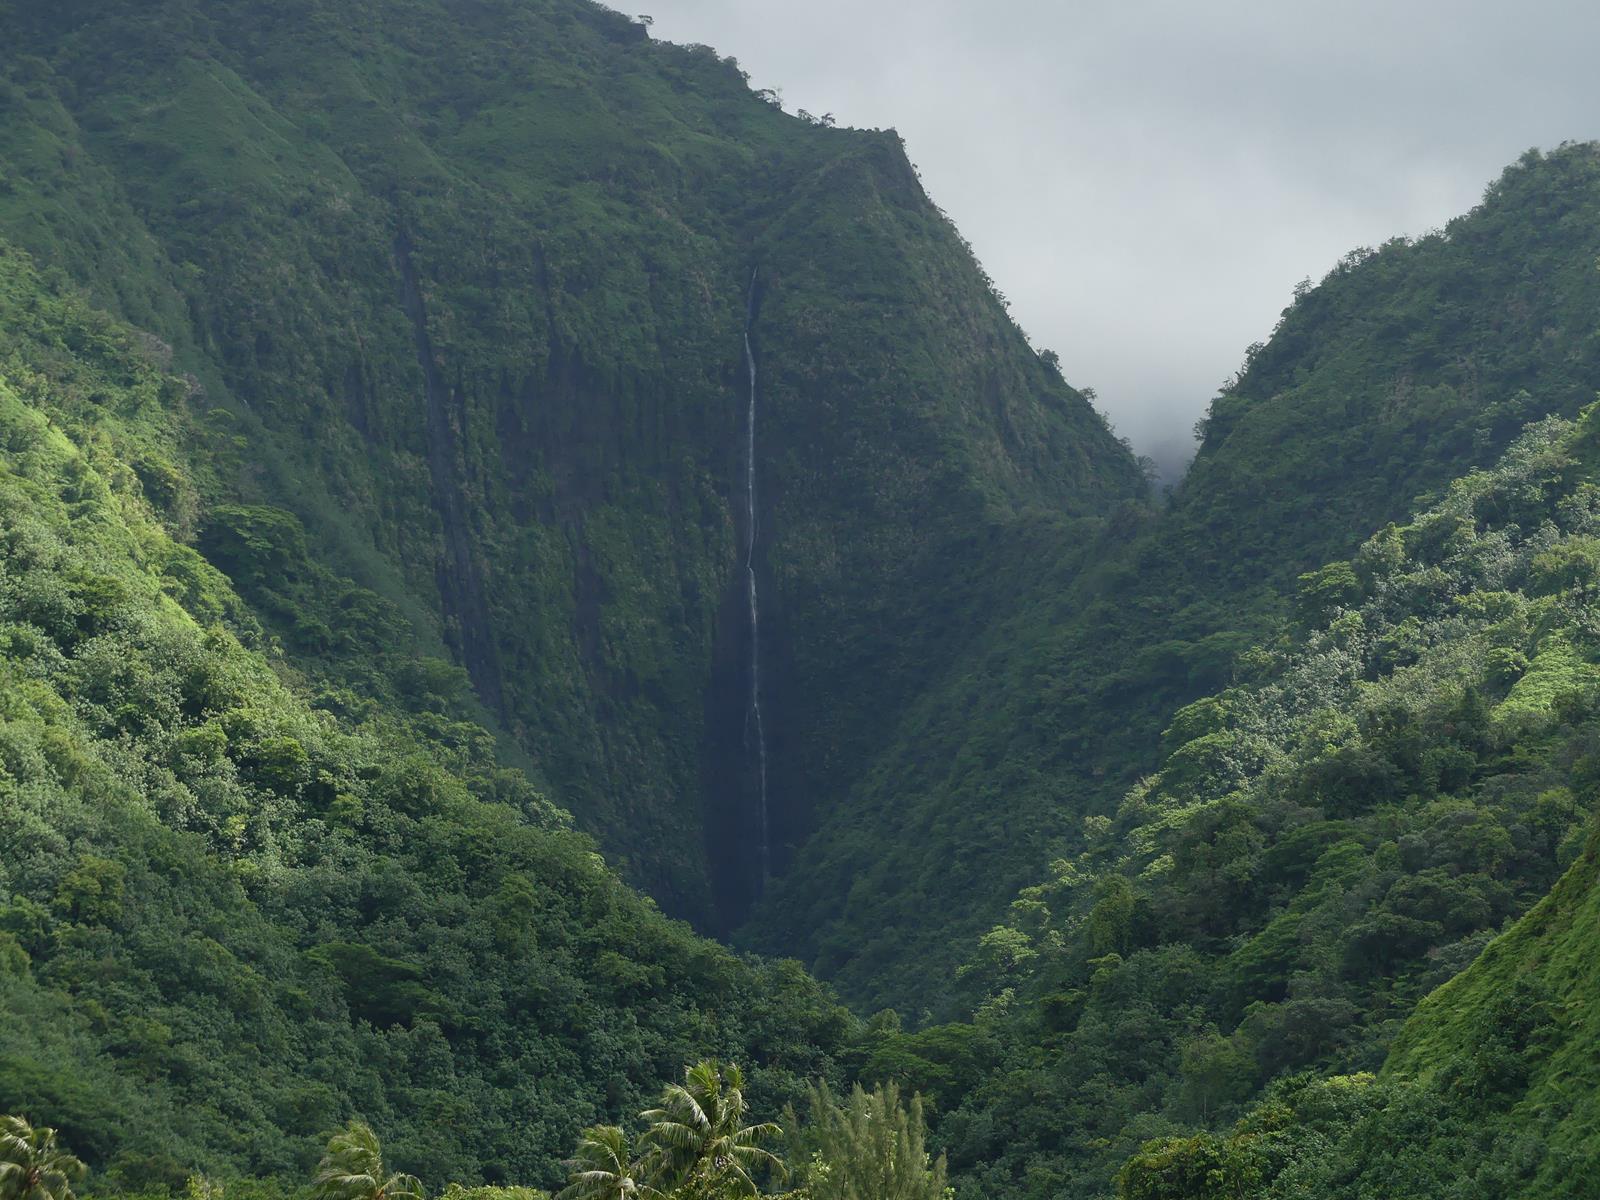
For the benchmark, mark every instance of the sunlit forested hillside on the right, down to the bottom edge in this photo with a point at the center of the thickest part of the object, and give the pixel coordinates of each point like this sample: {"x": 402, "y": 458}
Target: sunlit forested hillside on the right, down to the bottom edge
{"x": 1407, "y": 769}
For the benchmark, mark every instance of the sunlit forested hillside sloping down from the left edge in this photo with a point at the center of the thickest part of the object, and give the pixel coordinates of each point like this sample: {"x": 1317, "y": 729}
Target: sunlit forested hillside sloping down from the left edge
{"x": 238, "y": 906}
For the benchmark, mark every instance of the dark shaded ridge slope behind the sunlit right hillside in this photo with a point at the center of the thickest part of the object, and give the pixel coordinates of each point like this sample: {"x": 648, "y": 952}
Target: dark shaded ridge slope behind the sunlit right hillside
{"x": 1399, "y": 372}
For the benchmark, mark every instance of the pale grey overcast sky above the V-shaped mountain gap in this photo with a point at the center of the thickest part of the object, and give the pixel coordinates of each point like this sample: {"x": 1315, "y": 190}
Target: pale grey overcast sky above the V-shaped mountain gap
{"x": 1148, "y": 180}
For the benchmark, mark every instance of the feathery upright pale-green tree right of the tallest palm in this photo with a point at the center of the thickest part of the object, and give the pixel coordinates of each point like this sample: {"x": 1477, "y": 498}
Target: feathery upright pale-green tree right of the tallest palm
{"x": 871, "y": 1150}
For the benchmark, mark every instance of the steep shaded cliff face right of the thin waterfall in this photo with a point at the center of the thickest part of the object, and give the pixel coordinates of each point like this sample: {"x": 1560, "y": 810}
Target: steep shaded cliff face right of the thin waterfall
{"x": 897, "y": 391}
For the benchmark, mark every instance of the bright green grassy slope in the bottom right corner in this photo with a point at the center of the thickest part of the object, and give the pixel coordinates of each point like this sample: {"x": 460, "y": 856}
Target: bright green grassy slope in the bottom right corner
{"x": 1489, "y": 1089}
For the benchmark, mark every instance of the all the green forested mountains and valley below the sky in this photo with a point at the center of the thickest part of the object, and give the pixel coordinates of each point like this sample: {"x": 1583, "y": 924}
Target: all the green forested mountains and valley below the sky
{"x": 526, "y": 567}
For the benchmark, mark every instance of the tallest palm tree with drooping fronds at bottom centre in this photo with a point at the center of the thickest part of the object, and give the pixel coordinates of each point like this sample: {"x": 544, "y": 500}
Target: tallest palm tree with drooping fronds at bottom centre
{"x": 697, "y": 1142}
